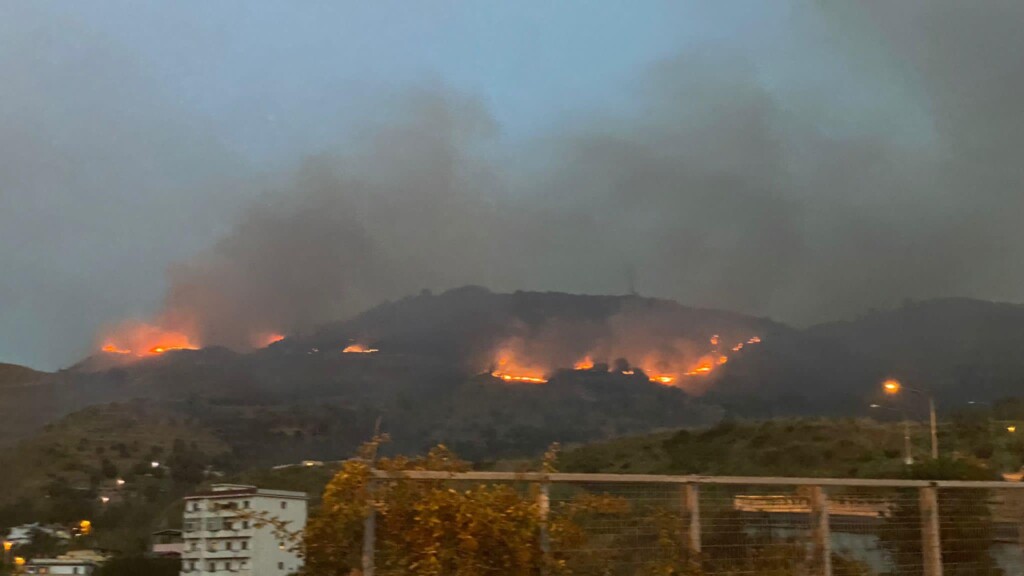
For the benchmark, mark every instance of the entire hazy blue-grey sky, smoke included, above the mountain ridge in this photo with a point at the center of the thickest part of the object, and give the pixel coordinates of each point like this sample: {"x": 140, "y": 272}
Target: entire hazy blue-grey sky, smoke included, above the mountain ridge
{"x": 847, "y": 149}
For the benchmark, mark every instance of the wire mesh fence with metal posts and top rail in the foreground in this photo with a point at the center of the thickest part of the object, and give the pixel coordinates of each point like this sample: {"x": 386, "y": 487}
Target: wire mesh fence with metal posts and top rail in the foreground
{"x": 622, "y": 525}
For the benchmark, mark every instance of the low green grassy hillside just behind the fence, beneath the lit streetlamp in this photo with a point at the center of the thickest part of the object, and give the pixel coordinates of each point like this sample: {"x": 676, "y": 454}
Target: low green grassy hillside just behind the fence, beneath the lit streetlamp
{"x": 799, "y": 447}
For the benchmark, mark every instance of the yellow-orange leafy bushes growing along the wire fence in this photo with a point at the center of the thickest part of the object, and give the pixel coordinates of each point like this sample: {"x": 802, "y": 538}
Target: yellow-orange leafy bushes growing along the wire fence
{"x": 434, "y": 528}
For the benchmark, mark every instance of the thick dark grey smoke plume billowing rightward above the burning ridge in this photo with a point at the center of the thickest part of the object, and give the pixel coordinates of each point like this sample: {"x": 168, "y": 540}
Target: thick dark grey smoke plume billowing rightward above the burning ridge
{"x": 729, "y": 186}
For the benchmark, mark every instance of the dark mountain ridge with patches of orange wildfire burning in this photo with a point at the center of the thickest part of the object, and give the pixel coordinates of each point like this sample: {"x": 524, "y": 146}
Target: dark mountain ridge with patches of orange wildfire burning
{"x": 432, "y": 379}
